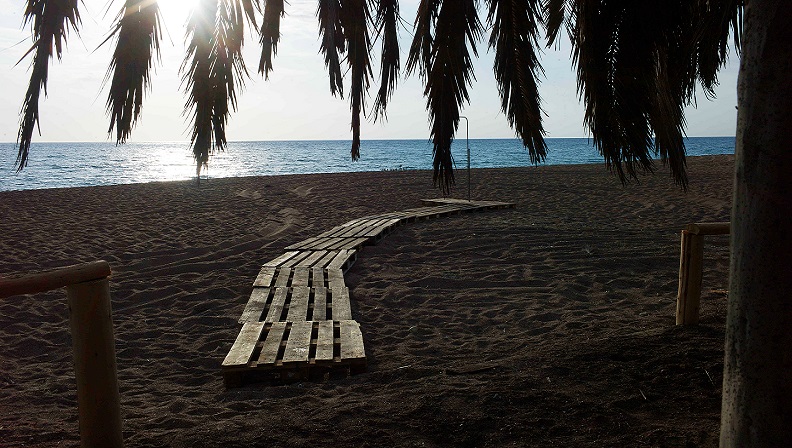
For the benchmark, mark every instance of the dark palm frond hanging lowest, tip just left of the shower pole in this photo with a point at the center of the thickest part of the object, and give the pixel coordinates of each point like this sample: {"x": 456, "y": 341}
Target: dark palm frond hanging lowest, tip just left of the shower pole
{"x": 449, "y": 71}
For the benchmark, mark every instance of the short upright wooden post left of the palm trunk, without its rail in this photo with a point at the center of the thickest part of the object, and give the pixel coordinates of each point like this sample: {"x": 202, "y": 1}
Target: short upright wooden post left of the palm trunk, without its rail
{"x": 690, "y": 270}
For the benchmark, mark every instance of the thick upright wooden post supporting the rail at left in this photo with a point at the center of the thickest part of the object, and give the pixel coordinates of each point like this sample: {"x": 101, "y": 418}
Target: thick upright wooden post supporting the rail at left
{"x": 98, "y": 400}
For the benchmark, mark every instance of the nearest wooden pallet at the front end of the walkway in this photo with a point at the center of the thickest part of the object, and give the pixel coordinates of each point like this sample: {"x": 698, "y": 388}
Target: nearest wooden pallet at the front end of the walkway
{"x": 289, "y": 351}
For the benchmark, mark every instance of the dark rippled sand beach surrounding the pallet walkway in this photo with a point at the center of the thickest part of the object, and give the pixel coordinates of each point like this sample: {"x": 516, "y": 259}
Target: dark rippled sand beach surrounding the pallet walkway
{"x": 551, "y": 324}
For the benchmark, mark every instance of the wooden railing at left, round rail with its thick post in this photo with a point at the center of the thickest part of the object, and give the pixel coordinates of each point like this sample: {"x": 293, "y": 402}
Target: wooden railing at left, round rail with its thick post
{"x": 90, "y": 320}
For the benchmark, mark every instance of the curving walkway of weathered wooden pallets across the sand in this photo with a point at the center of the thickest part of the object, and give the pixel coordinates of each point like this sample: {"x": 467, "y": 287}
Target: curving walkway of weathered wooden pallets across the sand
{"x": 298, "y": 322}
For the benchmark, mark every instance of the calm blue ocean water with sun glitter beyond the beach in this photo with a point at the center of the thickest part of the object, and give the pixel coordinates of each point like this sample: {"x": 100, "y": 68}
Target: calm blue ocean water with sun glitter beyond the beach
{"x": 55, "y": 165}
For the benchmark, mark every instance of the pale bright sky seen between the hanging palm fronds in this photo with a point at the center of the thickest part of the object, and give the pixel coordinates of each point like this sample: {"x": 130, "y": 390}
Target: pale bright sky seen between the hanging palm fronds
{"x": 295, "y": 103}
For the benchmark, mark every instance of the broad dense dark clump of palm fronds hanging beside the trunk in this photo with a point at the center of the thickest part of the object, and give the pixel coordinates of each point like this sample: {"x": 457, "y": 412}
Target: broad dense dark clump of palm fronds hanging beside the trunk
{"x": 638, "y": 64}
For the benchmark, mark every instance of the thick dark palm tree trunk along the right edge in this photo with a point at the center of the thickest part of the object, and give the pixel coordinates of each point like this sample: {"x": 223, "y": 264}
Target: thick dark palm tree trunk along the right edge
{"x": 757, "y": 383}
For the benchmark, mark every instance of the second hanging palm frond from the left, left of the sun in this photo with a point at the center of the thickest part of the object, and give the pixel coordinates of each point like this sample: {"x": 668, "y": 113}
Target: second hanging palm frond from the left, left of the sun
{"x": 138, "y": 31}
